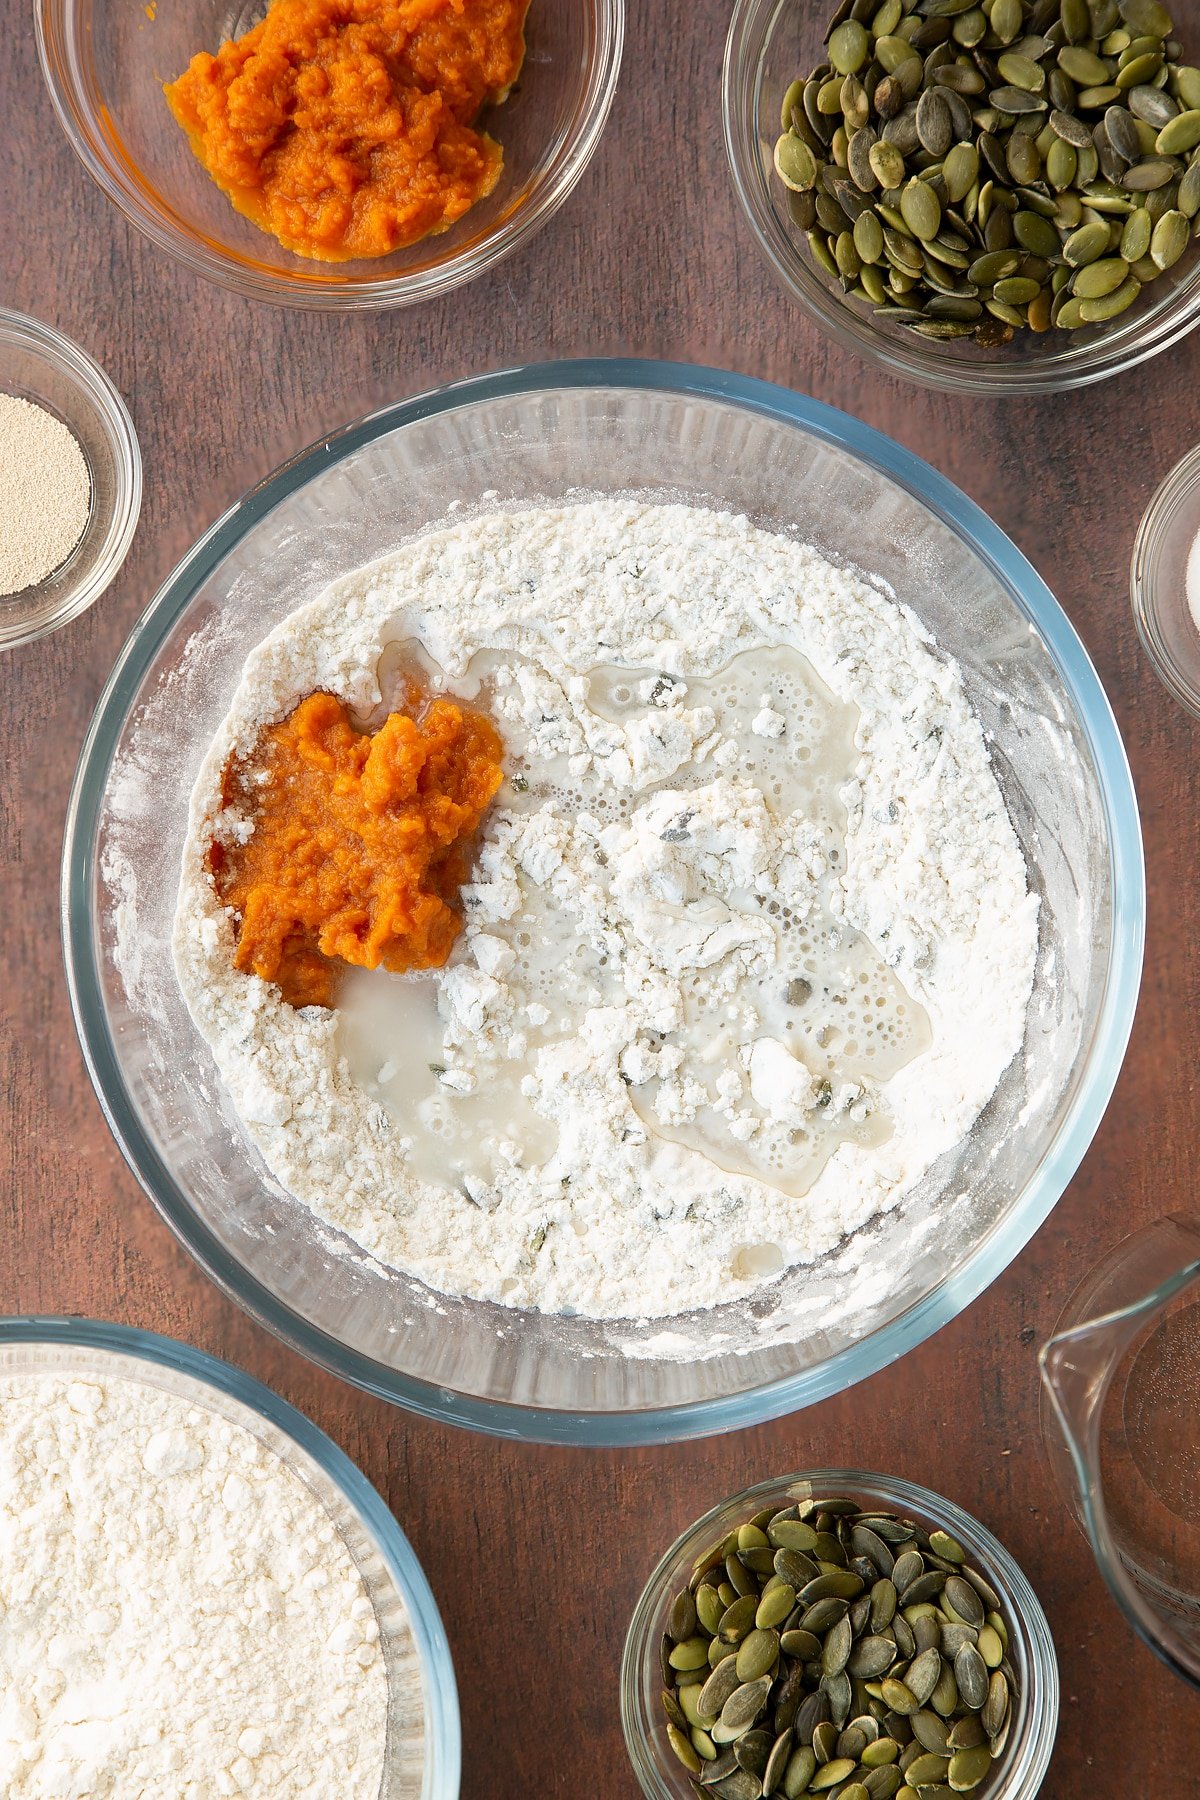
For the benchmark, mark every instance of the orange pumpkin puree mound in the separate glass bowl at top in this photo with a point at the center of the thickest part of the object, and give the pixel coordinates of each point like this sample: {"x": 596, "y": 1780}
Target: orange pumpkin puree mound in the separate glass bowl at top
{"x": 345, "y": 129}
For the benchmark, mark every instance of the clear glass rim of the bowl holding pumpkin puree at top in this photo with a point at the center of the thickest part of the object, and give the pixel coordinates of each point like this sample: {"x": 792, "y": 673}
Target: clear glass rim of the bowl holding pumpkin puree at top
{"x": 303, "y": 287}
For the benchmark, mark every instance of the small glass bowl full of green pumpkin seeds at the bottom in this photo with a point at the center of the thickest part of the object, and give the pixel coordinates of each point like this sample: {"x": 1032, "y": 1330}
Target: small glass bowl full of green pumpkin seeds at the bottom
{"x": 839, "y": 1635}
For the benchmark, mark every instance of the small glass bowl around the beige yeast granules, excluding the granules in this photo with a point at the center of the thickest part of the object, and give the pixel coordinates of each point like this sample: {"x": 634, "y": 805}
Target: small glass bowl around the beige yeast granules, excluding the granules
{"x": 44, "y": 366}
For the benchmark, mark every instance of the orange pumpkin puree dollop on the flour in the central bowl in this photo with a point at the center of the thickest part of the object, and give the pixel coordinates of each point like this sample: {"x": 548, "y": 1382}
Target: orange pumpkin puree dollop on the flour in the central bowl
{"x": 361, "y": 843}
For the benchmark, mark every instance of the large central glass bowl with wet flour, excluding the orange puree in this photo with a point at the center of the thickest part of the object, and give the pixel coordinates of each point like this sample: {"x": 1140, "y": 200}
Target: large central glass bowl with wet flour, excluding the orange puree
{"x": 800, "y": 946}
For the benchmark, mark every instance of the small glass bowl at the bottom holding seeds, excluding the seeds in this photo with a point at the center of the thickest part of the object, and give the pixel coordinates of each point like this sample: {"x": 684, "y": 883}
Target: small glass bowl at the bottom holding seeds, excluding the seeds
{"x": 1032, "y": 1648}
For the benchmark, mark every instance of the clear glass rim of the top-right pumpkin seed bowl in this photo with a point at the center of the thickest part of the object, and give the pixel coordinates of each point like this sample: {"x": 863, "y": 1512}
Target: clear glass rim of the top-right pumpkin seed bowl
{"x": 854, "y": 330}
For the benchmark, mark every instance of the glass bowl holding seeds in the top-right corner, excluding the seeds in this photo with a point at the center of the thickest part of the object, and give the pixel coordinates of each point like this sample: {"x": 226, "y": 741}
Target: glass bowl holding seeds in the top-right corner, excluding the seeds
{"x": 773, "y": 42}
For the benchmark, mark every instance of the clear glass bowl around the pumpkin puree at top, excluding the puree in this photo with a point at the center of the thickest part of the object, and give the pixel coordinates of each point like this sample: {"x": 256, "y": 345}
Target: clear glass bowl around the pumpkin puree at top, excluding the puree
{"x": 105, "y": 64}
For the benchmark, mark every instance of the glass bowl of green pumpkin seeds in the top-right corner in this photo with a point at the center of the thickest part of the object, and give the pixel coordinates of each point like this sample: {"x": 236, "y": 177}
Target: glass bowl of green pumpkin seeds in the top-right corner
{"x": 985, "y": 195}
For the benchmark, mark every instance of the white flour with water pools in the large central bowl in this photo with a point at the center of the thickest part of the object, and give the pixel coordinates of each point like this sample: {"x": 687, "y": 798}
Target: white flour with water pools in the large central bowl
{"x": 748, "y": 948}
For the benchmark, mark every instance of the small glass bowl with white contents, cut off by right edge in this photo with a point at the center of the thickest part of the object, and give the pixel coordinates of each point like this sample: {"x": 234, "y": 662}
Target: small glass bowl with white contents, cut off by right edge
{"x": 1160, "y": 582}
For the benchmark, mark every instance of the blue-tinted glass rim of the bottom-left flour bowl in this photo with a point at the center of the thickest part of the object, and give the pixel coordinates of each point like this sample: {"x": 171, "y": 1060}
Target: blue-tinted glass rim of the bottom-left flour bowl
{"x": 445, "y": 1736}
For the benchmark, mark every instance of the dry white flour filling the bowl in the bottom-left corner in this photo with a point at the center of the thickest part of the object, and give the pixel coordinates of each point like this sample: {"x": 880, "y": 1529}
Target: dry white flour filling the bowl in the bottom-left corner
{"x": 179, "y": 1615}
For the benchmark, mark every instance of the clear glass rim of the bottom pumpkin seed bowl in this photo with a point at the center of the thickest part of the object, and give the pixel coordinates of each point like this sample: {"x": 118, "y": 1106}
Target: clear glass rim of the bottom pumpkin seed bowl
{"x": 1030, "y": 1756}
